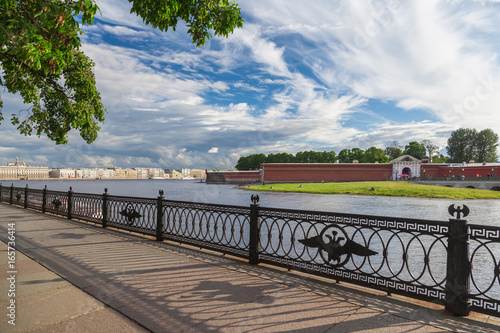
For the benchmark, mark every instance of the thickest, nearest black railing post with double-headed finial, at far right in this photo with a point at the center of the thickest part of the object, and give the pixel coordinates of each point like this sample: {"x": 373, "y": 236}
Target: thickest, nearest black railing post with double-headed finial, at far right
{"x": 458, "y": 265}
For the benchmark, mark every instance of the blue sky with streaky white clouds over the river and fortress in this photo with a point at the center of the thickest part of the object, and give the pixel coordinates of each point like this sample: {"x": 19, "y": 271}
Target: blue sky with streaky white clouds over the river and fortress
{"x": 300, "y": 75}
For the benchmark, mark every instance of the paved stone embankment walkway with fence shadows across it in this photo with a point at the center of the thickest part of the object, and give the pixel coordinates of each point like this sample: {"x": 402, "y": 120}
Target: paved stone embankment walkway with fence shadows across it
{"x": 74, "y": 276}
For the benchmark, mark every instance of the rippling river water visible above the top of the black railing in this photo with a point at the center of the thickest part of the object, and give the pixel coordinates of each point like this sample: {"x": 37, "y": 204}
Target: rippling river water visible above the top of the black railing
{"x": 482, "y": 211}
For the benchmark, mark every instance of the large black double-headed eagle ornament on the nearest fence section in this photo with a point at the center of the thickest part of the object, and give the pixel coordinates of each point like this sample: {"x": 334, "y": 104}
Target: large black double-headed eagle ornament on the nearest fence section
{"x": 336, "y": 247}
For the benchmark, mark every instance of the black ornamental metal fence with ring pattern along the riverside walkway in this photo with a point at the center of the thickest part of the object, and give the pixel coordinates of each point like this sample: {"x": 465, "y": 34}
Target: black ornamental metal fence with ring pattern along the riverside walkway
{"x": 449, "y": 261}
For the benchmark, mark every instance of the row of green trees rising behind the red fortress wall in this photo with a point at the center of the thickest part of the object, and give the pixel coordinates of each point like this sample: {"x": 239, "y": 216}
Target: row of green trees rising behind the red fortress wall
{"x": 464, "y": 145}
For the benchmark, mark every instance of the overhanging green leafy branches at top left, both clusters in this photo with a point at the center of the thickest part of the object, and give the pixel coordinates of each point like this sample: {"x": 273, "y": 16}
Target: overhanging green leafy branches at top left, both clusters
{"x": 40, "y": 56}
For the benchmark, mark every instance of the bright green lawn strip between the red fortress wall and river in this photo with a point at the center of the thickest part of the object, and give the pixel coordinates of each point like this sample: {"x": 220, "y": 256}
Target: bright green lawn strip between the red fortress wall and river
{"x": 398, "y": 189}
